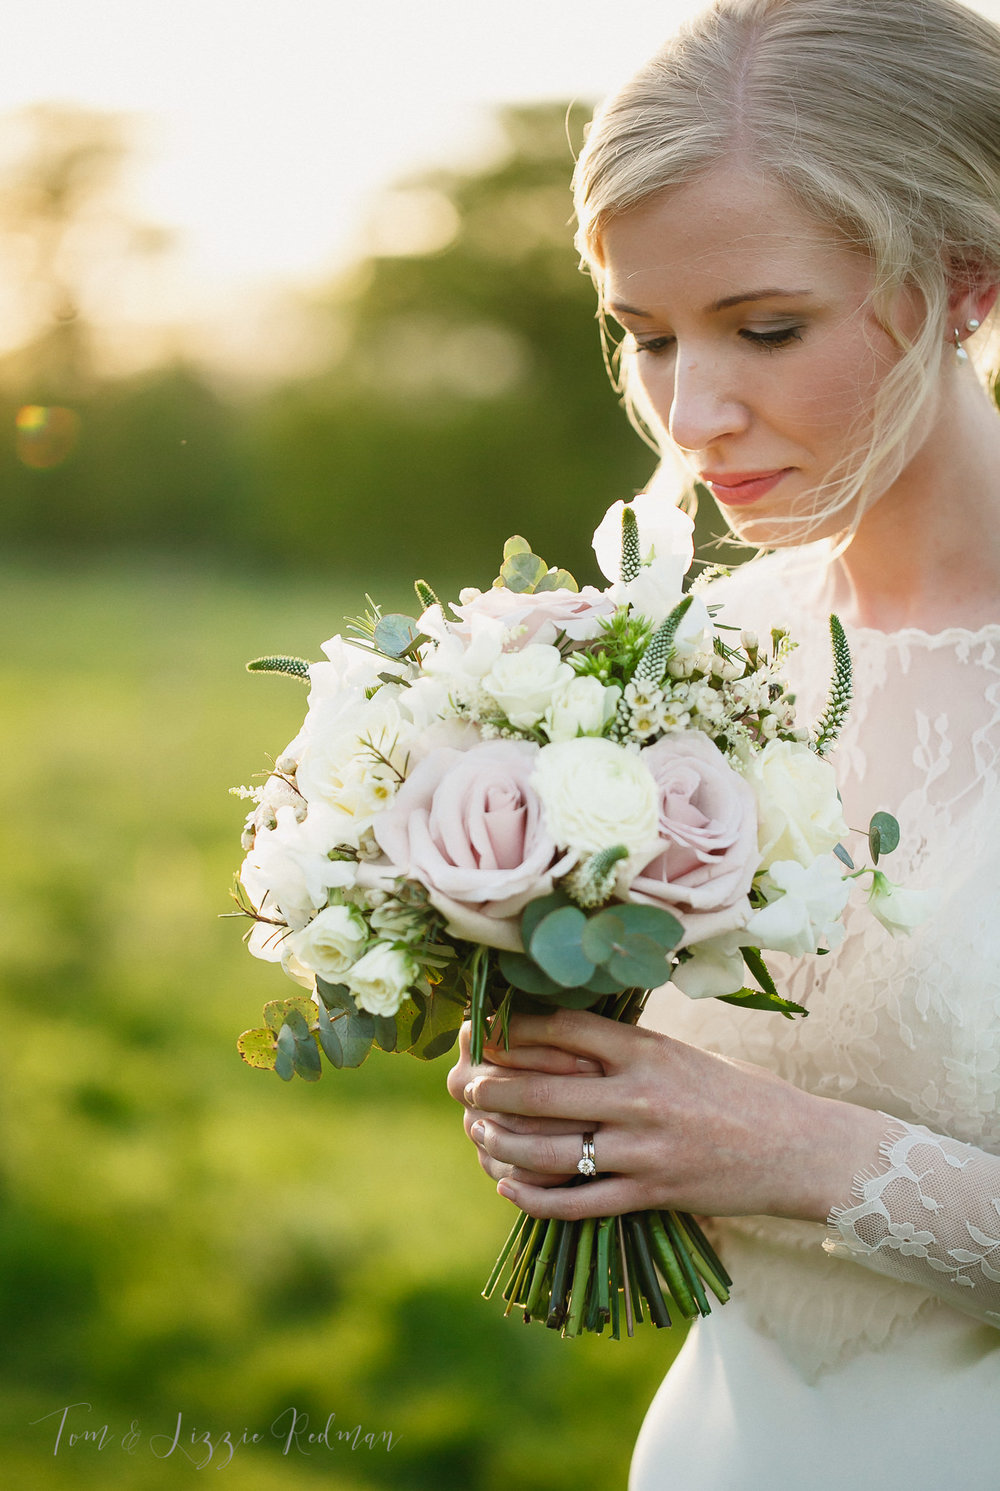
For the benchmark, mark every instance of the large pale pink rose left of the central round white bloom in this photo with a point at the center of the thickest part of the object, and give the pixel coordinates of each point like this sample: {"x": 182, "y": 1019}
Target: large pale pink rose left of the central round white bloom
{"x": 470, "y": 828}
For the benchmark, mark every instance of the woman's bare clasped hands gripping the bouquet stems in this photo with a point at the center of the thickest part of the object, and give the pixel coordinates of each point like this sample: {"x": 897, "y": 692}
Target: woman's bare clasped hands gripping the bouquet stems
{"x": 674, "y": 1126}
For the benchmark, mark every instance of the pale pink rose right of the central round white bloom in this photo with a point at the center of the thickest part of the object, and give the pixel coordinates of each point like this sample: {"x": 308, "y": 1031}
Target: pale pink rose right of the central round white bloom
{"x": 709, "y": 839}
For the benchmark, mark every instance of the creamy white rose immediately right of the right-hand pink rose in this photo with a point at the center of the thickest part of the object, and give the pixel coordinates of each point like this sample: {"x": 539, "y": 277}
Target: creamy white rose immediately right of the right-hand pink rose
{"x": 800, "y": 813}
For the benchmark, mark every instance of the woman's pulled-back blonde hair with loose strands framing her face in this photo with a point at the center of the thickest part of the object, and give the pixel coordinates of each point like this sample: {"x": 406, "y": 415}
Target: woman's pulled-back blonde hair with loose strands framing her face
{"x": 880, "y": 117}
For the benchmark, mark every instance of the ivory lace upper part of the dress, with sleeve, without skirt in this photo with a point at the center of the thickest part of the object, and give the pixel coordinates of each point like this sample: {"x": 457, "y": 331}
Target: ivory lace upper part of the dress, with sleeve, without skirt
{"x": 908, "y": 1027}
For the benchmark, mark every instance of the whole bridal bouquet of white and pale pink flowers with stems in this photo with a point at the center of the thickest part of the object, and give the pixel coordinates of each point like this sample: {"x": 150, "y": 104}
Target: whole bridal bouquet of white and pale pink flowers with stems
{"x": 548, "y": 795}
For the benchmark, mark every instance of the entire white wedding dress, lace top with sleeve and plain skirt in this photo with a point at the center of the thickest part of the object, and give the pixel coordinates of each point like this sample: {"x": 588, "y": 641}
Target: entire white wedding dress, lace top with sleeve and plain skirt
{"x": 868, "y": 1353}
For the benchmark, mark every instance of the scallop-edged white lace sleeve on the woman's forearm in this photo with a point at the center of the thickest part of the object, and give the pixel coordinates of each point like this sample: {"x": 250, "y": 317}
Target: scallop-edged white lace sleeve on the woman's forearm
{"x": 929, "y": 1217}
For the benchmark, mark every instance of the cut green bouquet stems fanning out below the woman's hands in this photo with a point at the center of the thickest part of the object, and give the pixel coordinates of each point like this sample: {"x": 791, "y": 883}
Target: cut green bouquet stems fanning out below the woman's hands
{"x": 594, "y": 1274}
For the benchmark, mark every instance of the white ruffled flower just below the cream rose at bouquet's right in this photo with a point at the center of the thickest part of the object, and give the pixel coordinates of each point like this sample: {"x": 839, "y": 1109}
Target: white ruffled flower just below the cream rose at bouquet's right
{"x": 806, "y": 912}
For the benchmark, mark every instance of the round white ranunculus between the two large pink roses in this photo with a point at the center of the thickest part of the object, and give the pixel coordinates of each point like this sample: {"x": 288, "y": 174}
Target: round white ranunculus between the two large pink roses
{"x": 597, "y": 795}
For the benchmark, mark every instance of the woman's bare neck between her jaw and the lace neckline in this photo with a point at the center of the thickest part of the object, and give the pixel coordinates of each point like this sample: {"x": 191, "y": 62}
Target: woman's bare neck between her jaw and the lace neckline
{"x": 928, "y": 552}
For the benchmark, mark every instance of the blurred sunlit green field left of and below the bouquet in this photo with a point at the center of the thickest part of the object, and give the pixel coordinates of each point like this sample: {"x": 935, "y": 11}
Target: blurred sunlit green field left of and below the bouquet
{"x": 181, "y": 1235}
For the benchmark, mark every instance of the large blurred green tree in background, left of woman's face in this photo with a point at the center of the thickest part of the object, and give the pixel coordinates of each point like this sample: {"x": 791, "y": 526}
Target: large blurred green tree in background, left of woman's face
{"x": 469, "y": 399}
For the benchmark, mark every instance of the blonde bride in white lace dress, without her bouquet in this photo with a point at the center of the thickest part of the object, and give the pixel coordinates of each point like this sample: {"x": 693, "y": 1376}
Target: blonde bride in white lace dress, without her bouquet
{"x": 794, "y": 212}
